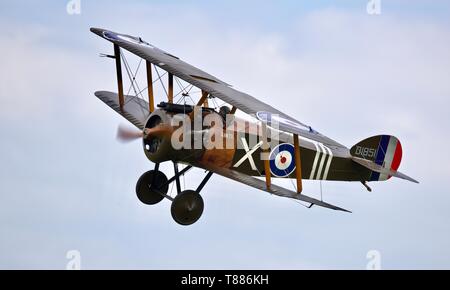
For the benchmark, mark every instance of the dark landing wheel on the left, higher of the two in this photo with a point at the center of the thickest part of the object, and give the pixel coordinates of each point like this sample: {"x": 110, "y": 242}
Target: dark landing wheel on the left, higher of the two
{"x": 149, "y": 193}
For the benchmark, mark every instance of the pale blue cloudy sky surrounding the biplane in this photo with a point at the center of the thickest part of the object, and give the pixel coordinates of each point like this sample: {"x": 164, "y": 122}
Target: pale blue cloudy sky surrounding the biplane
{"x": 66, "y": 184}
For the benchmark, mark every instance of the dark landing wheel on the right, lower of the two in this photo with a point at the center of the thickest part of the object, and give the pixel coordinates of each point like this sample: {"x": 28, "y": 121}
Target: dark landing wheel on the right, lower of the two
{"x": 187, "y": 208}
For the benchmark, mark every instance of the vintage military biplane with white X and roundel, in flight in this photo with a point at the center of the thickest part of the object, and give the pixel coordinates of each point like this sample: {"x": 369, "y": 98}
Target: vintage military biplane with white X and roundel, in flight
{"x": 266, "y": 146}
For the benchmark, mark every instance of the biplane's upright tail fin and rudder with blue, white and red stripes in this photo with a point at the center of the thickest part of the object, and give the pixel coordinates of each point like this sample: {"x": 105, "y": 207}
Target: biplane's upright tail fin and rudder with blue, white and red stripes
{"x": 383, "y": 150}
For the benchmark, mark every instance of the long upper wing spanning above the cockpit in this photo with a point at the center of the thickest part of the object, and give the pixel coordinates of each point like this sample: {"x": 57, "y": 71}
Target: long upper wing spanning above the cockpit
{"x": 212, "y": 85}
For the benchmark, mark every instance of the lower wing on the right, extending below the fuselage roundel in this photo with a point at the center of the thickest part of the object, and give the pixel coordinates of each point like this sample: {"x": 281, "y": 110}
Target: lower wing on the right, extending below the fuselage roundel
{"x": 274, "y": 189}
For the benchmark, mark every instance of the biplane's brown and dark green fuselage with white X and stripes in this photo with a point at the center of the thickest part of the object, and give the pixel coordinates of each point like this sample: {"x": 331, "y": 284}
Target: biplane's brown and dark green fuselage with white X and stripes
{"x": 240, "y": 145}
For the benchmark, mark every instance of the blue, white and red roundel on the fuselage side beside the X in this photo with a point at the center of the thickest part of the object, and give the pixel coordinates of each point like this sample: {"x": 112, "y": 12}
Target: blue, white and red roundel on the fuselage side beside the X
{"x": 282, "y": 162}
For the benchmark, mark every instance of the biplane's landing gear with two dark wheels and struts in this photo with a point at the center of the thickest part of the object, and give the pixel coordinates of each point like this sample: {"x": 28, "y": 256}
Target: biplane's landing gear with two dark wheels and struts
{"x": 187, "y": 207}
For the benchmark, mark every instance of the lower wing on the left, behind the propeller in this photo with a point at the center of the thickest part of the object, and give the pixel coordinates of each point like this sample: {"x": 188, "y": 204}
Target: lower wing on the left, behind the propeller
{"x": 135, "y": 110}
